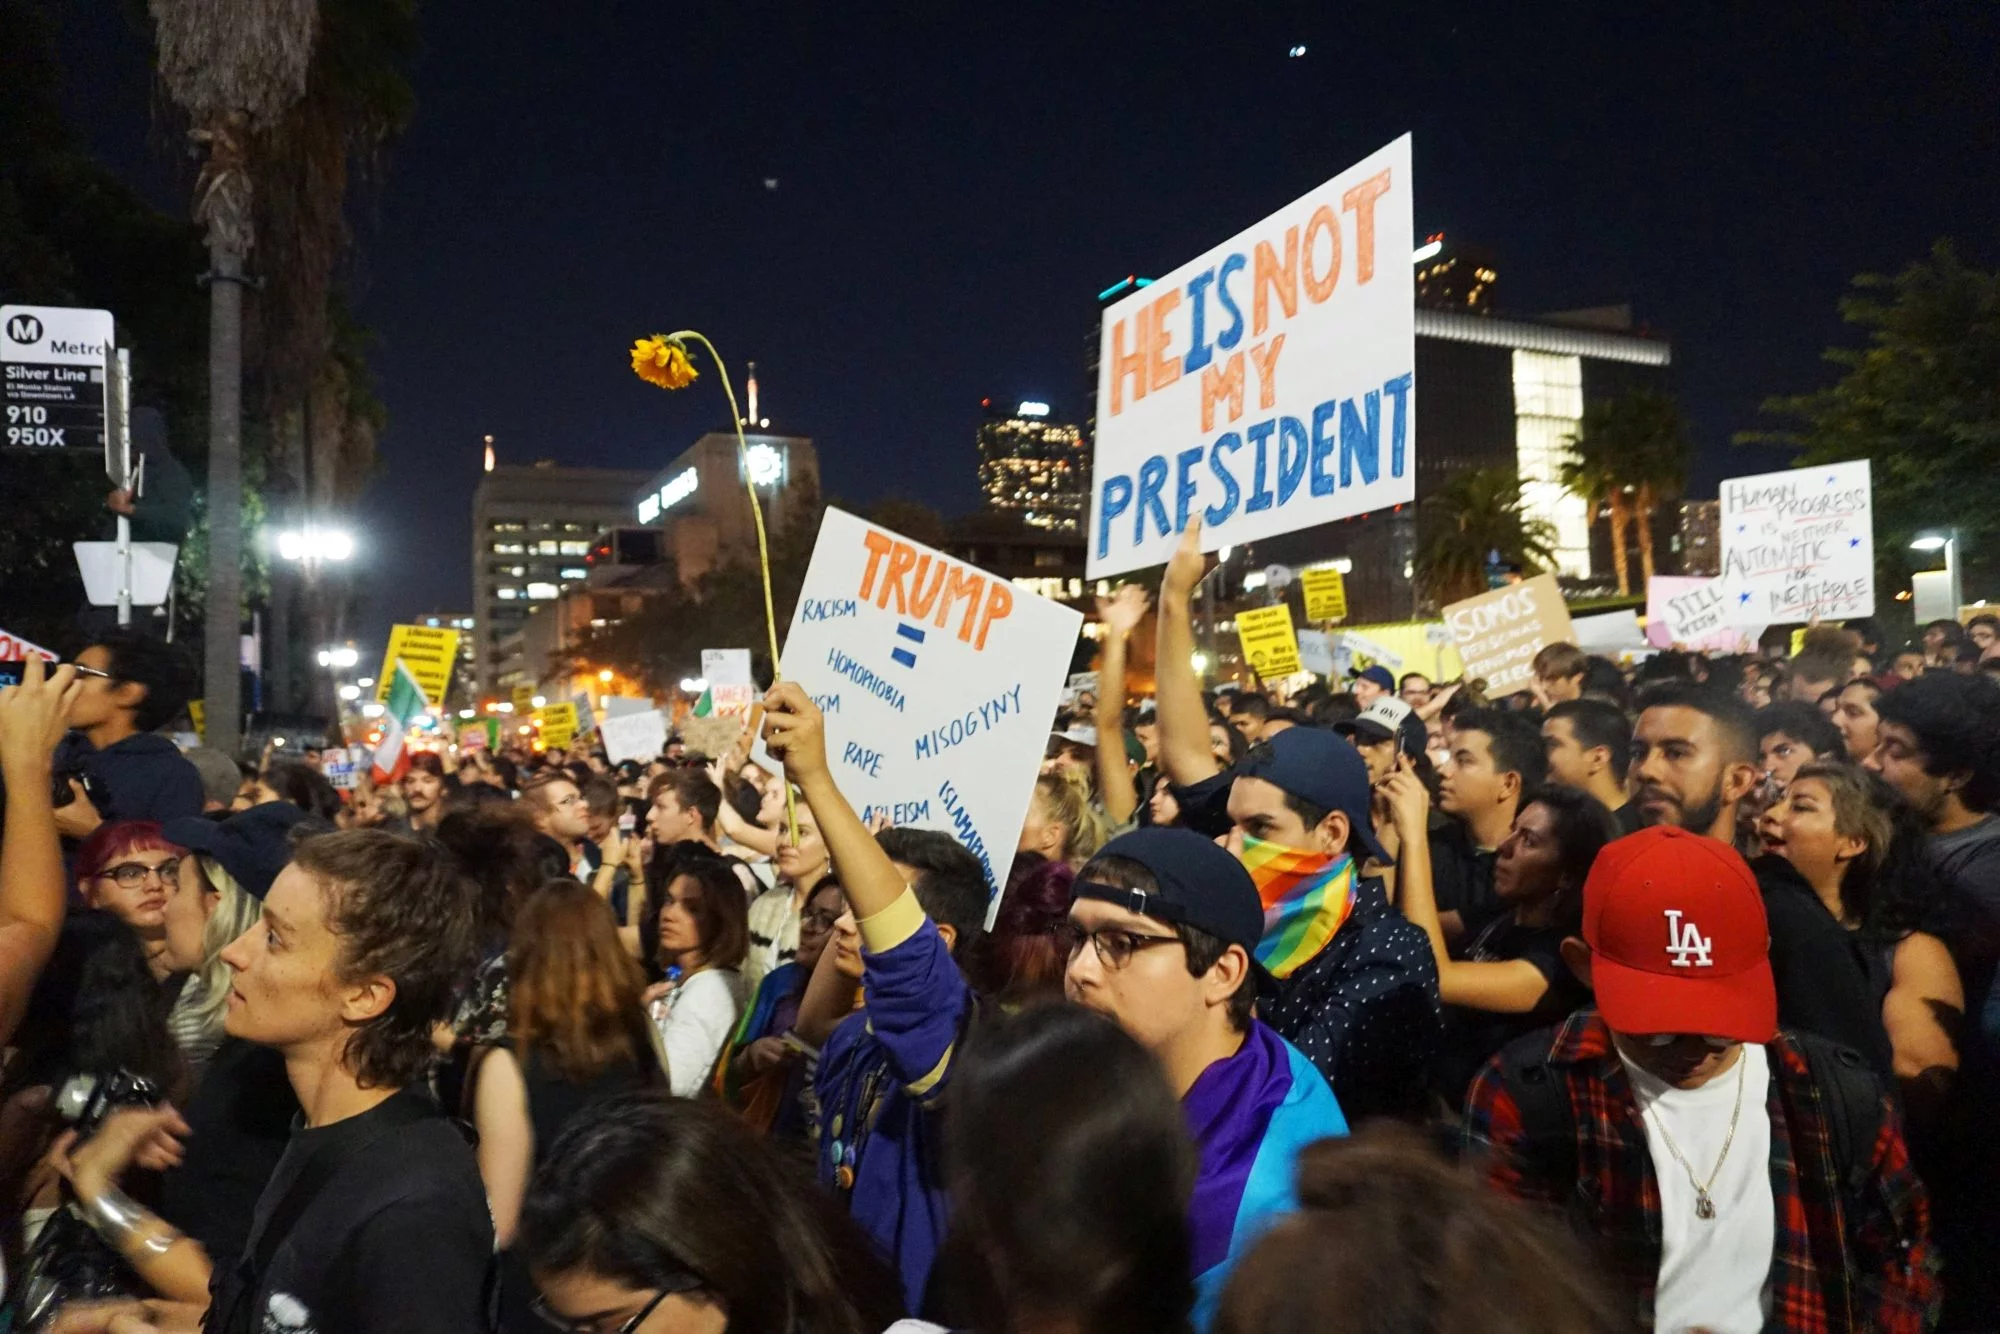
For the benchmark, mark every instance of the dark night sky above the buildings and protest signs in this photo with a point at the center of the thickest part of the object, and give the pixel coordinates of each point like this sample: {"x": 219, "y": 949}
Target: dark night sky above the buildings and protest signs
{"x": 959, "y": 181}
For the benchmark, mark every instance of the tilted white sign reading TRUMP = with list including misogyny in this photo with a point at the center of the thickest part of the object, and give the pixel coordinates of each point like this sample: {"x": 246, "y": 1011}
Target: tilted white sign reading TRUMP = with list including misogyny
{"x": 937, "y": 681}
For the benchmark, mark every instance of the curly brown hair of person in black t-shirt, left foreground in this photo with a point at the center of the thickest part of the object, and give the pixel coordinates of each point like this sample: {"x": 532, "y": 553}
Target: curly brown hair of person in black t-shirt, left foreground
{"x": 403, "y": 909}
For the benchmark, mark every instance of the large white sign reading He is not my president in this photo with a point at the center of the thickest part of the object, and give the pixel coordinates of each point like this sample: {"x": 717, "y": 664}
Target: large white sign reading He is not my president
{"x": 1265, "y": 385}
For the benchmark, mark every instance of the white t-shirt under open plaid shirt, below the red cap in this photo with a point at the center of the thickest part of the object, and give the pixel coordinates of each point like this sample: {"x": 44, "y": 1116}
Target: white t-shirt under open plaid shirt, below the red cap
{"x": 1713, "y": 1271}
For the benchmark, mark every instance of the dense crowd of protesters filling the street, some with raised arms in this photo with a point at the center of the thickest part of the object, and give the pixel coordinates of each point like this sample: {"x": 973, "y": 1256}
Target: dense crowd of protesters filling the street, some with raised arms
{"x": 1653, "y": 997}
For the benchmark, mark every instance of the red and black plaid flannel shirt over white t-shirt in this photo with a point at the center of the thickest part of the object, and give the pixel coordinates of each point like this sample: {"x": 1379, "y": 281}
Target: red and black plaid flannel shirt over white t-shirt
{"x": 1883, "y": 1277}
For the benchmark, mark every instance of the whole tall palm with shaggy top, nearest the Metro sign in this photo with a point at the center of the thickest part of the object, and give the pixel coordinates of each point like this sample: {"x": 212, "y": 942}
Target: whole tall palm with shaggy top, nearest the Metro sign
{"x": 233, "y": 67}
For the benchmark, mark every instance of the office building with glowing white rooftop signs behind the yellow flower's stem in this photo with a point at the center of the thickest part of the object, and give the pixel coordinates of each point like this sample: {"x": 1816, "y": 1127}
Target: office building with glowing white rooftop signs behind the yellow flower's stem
{"x": 701, "y": 505}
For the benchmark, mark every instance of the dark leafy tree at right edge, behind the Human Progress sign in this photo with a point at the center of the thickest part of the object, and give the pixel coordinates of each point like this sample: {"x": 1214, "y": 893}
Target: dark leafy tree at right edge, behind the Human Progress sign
{"x": 1919, "y": 401}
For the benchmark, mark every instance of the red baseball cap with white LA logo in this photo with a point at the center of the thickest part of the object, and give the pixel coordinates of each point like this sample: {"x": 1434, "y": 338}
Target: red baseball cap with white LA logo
{"x": 1679, "y": 939}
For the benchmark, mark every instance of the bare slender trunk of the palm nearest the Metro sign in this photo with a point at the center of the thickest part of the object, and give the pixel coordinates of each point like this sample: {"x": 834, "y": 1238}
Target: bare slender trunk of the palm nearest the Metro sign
{"x": 223, "y": 645}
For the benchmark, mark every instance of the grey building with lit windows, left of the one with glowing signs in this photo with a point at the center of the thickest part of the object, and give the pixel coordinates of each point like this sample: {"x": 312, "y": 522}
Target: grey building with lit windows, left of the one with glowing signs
{"x": 533, "y": 527}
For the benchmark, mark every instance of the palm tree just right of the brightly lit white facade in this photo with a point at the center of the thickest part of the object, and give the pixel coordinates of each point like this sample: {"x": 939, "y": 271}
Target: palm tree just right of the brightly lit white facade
{"x": 1629, "y": 457}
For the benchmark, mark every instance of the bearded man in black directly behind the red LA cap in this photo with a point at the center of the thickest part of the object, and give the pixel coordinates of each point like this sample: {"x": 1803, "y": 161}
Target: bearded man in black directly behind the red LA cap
{"x": 1695, "y": 759}
